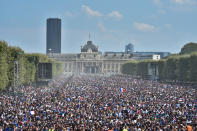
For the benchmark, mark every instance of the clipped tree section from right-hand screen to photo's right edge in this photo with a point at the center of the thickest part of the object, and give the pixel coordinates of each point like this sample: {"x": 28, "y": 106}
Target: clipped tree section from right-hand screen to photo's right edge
{"x": 180, "y": 67}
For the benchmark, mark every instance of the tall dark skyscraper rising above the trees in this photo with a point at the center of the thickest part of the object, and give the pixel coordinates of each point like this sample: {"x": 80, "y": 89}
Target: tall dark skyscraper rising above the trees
{"x": 53, "y": 40}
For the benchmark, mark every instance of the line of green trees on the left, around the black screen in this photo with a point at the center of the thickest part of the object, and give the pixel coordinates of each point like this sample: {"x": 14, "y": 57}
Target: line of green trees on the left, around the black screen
{"x": 27, "y": 65}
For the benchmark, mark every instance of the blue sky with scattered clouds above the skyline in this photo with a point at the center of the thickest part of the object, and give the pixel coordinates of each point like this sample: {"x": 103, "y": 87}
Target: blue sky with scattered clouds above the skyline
{"x": 151, "y": 25}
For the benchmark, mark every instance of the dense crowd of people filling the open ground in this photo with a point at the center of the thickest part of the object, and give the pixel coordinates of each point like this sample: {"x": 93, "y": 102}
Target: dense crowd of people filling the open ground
{"x": 91, "y": 103}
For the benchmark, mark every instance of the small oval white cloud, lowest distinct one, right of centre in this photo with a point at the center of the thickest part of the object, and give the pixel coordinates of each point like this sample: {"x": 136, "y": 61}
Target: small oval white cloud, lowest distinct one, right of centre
{"x": 144, "y": 27}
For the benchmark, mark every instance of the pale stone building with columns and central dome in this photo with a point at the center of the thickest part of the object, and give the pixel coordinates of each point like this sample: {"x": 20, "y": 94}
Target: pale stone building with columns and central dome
{"x": 91, "y": 61}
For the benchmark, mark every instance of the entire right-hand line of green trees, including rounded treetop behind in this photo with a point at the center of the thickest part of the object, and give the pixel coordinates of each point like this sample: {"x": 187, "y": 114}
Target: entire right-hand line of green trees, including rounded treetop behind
{"x": 179, "y": 67}
